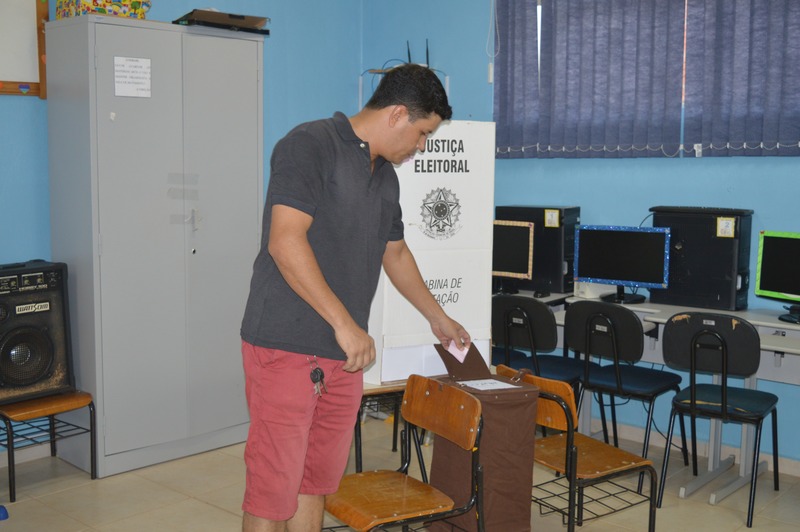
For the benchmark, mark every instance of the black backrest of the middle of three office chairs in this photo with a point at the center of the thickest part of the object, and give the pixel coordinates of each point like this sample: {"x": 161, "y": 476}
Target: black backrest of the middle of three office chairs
{"x": 603, "y": 329}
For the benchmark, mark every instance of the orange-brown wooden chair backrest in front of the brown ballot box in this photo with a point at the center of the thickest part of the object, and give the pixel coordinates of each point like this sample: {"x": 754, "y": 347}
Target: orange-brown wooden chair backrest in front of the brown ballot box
{"x": 443, "y": 409}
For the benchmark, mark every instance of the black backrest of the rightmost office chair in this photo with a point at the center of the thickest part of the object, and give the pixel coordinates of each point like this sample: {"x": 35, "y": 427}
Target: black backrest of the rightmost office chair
{"x": 717, "y": 341}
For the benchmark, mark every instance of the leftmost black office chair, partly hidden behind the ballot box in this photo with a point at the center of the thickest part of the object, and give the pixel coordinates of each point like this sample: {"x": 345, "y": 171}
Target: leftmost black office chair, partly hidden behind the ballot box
{"x": 523, "y": 322}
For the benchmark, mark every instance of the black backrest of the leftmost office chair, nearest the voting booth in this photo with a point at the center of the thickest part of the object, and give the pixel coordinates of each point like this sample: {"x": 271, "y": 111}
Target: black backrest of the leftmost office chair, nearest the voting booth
{"x": 523, "y": 322}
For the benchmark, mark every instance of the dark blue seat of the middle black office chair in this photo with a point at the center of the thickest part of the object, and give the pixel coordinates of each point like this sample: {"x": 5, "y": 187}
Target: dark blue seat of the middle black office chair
{"x": 636, "y": 380}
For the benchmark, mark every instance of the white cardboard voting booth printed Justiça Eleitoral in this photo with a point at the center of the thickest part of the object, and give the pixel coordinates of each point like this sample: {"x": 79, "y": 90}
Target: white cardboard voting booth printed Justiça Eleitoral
{"x": 447, "y": 196}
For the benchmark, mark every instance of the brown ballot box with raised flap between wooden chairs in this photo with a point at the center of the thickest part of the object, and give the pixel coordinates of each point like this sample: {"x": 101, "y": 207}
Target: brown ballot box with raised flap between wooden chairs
{"x": 506, "y": 451}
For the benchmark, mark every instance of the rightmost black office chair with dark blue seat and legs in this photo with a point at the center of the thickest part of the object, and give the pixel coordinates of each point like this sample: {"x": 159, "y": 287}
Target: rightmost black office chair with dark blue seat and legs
{"x": 727, "y": 346}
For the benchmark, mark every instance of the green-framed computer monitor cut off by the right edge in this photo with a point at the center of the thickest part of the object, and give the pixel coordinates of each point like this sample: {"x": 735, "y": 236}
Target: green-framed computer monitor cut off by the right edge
{"x": 778, "y": 270}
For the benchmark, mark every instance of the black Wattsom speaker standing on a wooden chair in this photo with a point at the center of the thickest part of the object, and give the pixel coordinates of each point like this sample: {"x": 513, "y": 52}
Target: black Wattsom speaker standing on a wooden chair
{"x": 35, "y": 349}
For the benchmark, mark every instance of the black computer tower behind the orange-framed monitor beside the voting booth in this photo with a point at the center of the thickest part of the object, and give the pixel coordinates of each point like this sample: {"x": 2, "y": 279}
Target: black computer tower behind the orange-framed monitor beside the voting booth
{"x": 553, "y": 244}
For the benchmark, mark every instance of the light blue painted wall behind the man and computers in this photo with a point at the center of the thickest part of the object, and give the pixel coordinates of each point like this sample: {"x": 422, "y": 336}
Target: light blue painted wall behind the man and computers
{"x": 313, "y": 60}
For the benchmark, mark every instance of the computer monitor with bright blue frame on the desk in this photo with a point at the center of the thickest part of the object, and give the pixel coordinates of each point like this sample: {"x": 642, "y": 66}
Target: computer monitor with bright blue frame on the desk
{"x": 636, "y": 257}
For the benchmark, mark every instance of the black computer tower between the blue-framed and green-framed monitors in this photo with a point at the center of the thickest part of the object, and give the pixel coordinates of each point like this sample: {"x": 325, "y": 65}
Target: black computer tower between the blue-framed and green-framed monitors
{"x": 709, "y": 257}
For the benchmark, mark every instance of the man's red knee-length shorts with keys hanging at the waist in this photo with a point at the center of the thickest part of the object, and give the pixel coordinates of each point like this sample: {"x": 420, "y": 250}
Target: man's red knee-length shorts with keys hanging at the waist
{"x": 299, "y": 442}
